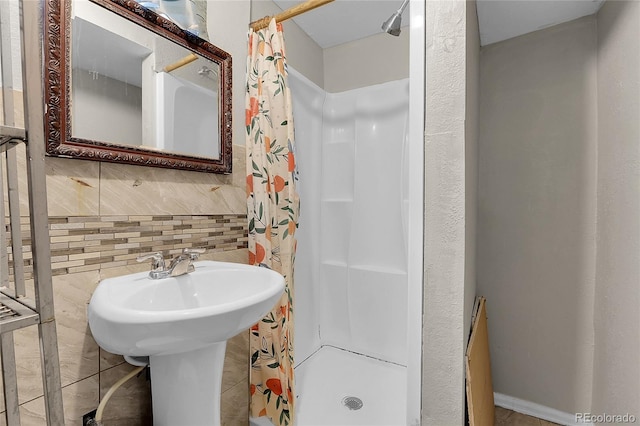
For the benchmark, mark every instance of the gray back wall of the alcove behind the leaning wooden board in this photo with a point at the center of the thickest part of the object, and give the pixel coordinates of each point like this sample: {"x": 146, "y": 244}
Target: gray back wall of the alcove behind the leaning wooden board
{"x": 536, "y": 218}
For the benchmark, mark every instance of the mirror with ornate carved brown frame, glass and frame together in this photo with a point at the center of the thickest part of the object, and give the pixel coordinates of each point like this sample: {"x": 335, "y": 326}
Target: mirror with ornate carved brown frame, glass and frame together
{"x": 124, "y": 84}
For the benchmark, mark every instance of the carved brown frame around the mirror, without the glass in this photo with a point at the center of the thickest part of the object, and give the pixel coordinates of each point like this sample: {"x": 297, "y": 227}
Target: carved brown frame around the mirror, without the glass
{"x": 59, "y": 140}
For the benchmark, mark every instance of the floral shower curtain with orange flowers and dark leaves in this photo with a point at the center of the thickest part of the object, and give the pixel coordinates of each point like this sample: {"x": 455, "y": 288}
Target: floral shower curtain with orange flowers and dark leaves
{"x": 273, "y": 205}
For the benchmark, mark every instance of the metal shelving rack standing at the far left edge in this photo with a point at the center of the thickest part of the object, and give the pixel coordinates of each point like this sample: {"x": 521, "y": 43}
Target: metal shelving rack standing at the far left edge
{"x": 16, "y": 309}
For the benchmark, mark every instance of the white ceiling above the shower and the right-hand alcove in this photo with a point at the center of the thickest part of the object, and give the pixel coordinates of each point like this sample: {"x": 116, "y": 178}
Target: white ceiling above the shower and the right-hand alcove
{"x": 347, "y": 20}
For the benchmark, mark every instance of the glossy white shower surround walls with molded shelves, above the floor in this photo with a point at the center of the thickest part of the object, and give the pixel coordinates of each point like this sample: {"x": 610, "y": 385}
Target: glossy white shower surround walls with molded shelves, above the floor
{"x": 351, "y": 266}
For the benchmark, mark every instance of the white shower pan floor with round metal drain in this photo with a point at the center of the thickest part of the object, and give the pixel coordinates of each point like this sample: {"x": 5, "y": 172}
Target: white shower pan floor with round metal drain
{"x": 330, "y": 377}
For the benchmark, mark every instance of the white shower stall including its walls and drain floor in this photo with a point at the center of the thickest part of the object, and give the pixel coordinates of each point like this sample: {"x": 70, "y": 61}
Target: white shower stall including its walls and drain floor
{"x": 351, "y": 264}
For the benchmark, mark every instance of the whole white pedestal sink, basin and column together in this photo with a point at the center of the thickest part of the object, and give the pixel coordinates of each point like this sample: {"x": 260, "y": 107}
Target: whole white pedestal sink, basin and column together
{"x": 182, "y": 325}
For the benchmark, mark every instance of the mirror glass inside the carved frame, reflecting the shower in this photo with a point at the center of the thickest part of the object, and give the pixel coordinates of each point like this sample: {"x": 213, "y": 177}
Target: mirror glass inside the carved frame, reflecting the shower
{"x": 131, "y": 86}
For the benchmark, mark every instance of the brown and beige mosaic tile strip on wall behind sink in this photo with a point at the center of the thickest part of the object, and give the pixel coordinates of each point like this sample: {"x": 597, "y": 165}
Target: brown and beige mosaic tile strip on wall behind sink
{"x": 88, "y": 243}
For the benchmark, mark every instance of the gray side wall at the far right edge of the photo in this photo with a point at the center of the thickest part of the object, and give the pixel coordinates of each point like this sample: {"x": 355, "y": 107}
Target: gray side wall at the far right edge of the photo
{"x": 616, "y": 385}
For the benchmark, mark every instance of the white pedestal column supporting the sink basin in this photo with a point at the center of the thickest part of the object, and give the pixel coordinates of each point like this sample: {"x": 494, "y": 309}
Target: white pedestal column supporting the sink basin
{"x": 186, "y": 387}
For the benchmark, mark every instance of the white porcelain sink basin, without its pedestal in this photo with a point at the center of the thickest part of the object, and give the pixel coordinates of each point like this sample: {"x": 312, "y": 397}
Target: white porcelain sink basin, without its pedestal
{"x": 135, "y": 315}
